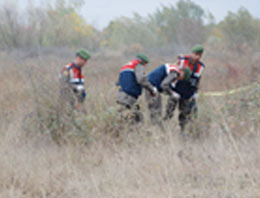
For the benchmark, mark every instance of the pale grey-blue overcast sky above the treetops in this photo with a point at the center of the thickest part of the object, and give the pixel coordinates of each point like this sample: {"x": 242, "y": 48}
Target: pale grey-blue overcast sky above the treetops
{"x": 100, "y": 12}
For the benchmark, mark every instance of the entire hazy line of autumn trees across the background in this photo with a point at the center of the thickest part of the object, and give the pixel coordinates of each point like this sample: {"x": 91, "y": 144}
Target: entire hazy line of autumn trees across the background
{"x": 173, "y": 27}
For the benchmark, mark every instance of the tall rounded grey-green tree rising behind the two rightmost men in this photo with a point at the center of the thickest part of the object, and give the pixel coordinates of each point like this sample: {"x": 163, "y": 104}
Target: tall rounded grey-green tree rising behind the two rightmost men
{"x": 181, "y": 26}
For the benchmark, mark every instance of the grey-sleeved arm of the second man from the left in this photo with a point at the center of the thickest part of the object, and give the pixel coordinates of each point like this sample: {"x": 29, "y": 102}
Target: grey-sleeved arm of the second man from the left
{"x": 142, "y": 78}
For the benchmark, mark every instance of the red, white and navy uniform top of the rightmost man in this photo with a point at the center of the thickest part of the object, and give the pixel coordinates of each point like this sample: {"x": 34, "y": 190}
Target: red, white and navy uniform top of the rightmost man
{"x": 187, "y": 89}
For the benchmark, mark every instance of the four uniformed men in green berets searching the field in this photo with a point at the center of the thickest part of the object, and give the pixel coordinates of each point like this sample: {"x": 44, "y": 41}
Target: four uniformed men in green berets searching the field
{"x": 178, "y": 81}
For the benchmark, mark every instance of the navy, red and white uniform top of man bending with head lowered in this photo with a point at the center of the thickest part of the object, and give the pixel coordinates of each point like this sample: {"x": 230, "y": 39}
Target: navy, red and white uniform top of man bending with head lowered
{"x": 163, "y": 76}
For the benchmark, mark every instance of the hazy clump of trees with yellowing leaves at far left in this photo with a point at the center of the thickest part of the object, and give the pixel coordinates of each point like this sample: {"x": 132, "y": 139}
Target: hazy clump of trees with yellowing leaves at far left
{"x": 56, "y": 24}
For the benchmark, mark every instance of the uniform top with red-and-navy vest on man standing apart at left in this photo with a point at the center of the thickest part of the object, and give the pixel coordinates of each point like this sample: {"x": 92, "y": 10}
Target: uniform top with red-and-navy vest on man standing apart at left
{"x": 72, "y": 76}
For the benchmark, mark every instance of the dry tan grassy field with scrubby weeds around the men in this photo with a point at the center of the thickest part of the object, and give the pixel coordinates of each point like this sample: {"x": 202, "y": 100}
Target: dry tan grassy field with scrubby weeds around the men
{"x": 219, "y": 158}
